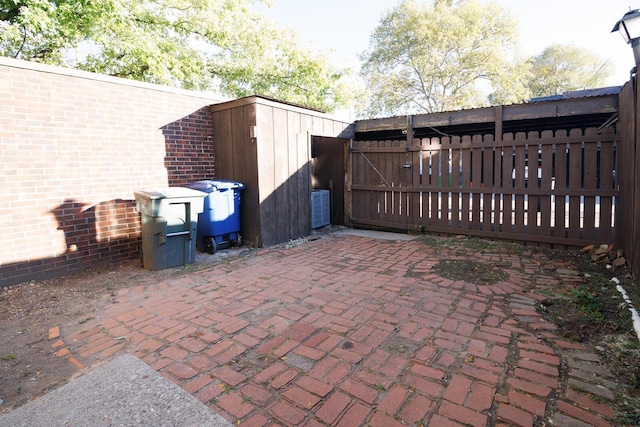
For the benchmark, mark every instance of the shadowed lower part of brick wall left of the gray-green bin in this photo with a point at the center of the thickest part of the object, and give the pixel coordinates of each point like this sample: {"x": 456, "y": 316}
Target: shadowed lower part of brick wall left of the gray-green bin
{"x": 94, "y": 235}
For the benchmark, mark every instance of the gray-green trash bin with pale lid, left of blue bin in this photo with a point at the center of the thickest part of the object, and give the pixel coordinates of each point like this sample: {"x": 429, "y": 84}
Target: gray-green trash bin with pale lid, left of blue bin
{"x": 169, "y": 226}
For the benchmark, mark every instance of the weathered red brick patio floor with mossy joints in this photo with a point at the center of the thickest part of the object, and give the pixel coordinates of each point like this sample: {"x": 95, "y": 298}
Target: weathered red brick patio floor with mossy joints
{"x": 347, "y": 331}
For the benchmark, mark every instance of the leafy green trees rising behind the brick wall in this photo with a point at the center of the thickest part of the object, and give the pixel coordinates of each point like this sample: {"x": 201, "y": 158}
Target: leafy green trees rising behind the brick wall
{"x": 193, "y": 44}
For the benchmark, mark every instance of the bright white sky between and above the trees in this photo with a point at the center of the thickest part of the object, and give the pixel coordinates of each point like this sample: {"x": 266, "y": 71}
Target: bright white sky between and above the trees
{"x": 344, "y": 26}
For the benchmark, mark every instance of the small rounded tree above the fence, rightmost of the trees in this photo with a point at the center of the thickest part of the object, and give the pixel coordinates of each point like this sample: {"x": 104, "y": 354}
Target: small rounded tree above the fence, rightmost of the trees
{"x": 561, "y": 68}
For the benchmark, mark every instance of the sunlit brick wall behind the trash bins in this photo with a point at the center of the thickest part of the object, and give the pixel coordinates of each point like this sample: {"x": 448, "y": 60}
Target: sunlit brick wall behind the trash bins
{"x": 74, "y": 147}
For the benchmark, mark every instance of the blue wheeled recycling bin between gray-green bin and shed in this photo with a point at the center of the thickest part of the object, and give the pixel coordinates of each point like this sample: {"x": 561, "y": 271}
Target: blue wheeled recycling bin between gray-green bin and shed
{"x": 219, "y": 222}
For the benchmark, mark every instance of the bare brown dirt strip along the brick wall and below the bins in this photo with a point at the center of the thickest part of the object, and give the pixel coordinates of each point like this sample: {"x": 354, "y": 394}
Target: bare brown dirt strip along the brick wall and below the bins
{"x": 29, "y": 366}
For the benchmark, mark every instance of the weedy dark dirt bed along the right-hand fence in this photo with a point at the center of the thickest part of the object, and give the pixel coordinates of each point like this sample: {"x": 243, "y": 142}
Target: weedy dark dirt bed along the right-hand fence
{"x": 593, "y": 312}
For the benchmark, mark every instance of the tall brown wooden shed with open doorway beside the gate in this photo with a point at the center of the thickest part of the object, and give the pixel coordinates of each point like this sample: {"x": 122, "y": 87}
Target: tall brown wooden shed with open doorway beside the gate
{"x": 280, "y": 152}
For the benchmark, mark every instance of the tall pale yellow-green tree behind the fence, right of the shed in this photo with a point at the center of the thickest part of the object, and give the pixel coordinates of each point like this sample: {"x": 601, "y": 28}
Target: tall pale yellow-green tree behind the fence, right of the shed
{"x": 429, "y": 56}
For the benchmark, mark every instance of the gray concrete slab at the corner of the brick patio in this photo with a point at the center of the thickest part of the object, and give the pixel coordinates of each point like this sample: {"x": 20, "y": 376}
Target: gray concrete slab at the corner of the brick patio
{"x": 122, "y": 392}
